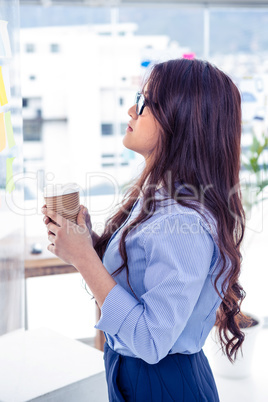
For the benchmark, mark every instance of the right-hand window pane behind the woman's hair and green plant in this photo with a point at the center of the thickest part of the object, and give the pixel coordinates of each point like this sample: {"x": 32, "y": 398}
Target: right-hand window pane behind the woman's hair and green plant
{"x": 238, "y": 45}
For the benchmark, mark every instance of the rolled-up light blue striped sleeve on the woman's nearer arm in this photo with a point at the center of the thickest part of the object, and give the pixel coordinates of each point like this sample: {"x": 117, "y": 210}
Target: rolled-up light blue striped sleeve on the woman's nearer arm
{"x": 178, "y": 260}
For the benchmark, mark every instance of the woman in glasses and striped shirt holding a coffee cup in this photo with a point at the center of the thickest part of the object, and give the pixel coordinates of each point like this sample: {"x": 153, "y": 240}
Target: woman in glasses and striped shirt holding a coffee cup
{"x": 169, "y": 260}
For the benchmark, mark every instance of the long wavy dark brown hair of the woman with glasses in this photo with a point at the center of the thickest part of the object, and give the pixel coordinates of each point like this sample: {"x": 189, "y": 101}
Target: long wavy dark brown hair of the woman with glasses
{"x": 199, "y": 111}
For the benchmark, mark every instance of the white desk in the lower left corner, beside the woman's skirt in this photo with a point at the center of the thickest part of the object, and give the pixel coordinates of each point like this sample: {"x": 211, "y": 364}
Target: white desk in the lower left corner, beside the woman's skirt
{"x": 42, "y": 365}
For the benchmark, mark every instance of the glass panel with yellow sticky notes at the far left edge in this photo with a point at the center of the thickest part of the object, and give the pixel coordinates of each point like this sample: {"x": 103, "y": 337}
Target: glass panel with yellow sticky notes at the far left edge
{"x": 11, "y": 167}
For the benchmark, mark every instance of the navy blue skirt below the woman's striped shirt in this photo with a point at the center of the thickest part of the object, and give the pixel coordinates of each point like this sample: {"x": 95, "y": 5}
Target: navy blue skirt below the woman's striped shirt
{"x": 176, "y": 378}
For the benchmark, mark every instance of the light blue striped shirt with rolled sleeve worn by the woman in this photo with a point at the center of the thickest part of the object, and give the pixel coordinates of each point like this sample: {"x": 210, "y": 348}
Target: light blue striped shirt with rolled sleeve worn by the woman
{"x": 171, "y": 259}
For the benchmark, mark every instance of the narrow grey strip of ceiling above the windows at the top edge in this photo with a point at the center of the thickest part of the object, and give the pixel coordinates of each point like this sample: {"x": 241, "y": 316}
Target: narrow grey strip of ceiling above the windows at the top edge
{"x": 107, "y": 3}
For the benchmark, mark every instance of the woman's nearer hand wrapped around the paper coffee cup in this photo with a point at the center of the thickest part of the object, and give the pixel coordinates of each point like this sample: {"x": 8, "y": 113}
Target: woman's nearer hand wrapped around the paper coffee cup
{"x": 69, "y": 241}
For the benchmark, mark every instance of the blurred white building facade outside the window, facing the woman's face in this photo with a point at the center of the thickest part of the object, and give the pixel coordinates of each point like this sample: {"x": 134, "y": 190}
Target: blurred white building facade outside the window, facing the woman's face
{"x": 77, "y": 85}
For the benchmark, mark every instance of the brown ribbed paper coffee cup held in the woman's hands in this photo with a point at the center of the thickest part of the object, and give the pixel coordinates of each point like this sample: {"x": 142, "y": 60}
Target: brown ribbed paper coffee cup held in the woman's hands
{"x": 63, "y": 199}
